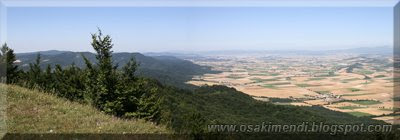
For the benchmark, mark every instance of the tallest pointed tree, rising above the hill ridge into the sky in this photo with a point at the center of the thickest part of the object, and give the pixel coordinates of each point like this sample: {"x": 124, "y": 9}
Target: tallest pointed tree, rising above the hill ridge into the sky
{"x": 102, "y": 78}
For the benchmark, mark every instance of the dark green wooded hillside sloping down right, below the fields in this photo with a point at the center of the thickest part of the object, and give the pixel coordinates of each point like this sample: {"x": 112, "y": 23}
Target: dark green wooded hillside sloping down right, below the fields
{"x": 224, "y": 105}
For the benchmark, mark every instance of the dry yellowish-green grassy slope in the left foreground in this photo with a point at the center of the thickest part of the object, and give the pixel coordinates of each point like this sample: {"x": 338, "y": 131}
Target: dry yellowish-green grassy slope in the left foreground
{"x": 35, "y": 112}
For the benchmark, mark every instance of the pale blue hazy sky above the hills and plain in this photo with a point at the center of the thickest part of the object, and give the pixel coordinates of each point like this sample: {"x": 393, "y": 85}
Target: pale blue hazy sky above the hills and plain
{"x": 147, "y": 29}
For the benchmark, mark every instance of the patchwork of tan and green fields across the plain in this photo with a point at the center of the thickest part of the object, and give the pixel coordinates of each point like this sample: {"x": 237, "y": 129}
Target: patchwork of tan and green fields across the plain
{"x": 359, "y": 85}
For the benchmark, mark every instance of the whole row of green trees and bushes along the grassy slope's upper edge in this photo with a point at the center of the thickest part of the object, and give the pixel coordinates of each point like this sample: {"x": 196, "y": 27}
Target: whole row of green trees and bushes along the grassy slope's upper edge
{"x": 115, "y": 91}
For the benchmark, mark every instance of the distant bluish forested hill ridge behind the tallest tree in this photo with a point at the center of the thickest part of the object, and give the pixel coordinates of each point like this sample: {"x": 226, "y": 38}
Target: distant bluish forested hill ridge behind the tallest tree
{"x": 167, "y": 69}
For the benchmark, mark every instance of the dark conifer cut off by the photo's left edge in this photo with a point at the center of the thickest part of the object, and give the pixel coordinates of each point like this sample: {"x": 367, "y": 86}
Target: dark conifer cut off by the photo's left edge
{"x": 7, "y": 60}
